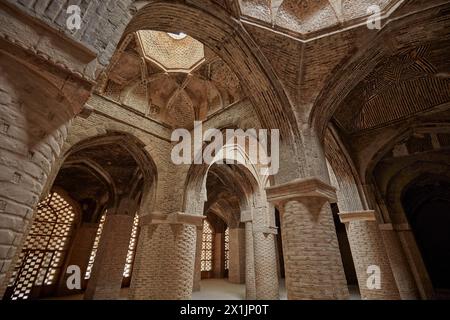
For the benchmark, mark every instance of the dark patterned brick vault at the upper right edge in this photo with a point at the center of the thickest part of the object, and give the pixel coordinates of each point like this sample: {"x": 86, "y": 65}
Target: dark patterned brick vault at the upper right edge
{"x": 408, "y": 83}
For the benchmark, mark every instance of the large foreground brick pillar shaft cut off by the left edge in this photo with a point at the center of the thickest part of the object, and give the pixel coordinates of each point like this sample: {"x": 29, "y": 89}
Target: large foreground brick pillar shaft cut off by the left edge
{"x": 34, "y": 119}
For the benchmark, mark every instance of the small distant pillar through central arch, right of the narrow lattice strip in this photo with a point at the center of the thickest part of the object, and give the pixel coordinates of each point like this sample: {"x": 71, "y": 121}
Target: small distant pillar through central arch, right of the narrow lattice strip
{"x": 236, "y": 265}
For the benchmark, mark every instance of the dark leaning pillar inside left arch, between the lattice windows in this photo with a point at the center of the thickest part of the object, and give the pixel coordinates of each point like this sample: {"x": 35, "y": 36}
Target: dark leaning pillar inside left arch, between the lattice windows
{"x": 107, "y": 272}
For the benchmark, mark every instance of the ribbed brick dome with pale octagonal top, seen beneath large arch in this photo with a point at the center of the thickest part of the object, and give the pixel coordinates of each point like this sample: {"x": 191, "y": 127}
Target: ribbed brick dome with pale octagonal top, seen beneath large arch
{"x": 171, "y": 78}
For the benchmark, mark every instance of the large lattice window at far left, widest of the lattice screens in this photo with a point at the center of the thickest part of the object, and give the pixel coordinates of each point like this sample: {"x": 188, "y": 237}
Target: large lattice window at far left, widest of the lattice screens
{"x": 45, "y": 247}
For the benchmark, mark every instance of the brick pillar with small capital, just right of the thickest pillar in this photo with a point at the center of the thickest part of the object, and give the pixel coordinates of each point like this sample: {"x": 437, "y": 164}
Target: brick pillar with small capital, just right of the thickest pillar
{"x": 367, "y": 246}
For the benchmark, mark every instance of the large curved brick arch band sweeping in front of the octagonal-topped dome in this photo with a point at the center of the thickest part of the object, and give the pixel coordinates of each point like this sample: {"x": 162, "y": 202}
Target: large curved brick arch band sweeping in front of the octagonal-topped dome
{"x": 210, "y": 24}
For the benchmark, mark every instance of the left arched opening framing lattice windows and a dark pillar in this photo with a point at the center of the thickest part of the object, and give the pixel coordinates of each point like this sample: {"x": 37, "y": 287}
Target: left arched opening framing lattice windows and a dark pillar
{"x": 89, "y": 220}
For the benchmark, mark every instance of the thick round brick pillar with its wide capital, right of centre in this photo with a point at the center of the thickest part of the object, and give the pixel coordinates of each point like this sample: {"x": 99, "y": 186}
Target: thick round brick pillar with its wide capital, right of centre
{"x": 313, "y": 264}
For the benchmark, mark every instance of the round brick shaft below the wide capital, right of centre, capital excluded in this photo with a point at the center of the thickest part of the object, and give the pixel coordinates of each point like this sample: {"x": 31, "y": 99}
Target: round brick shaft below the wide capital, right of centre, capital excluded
{"x": 313, "y": 264}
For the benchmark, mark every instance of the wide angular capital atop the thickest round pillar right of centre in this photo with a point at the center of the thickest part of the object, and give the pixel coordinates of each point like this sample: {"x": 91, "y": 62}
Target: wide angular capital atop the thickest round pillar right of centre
{"x": 301, "y": 188}
